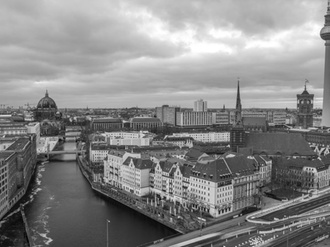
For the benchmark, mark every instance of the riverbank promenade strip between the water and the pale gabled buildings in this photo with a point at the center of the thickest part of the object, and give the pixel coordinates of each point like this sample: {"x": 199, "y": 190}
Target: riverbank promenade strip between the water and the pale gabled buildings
{"x": 148, "y": 209}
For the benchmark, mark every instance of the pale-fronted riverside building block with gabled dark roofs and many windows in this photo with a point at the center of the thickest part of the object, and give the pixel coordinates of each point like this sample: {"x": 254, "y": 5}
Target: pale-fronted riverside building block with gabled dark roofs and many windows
{"x": 214, "y": 186}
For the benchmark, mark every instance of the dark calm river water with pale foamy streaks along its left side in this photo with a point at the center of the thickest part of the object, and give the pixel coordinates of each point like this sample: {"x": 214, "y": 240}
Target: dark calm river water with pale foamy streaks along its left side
{"x": 63, "y": 210}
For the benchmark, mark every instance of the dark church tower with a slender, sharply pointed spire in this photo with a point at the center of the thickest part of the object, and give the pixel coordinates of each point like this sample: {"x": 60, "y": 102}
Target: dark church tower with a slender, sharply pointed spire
{"x": 237, "y": 133}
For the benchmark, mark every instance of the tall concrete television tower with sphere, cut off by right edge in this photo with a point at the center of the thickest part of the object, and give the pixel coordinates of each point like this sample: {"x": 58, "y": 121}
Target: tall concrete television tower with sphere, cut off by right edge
{"x": 325, "y": 35}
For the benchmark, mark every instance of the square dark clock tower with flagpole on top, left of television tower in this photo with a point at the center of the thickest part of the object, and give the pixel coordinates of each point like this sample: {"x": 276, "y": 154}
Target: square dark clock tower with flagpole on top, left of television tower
{"x": 305, "y": 108}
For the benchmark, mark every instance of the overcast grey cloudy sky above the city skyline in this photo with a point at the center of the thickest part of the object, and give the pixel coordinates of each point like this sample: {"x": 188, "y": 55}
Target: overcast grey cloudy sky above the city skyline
{"x": 146, "y": 53}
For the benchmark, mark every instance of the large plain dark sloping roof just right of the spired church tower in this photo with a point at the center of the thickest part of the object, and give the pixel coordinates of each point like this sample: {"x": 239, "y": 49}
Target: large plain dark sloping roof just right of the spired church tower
{"x": 285, "y": 144}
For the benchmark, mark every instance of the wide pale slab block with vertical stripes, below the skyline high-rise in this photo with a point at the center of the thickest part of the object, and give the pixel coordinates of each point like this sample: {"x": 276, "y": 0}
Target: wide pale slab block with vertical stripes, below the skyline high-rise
{"x": 193, "y": 118}
